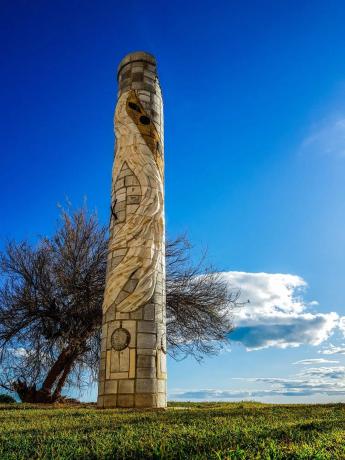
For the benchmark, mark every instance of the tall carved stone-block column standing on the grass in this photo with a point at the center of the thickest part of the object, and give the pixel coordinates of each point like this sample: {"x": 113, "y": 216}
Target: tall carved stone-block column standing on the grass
{"x": 133, "y": 355}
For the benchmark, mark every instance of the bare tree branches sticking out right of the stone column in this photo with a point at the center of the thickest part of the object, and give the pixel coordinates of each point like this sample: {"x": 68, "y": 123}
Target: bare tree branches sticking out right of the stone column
{"x": 199, "y": 304}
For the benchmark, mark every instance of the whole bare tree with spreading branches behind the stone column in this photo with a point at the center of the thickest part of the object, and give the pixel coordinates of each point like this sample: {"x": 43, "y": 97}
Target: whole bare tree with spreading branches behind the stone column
{"x": 51, "y": 307}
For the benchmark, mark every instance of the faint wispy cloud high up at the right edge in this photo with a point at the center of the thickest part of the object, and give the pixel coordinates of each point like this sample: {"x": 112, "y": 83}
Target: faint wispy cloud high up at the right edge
{"x": 326, "y": 137}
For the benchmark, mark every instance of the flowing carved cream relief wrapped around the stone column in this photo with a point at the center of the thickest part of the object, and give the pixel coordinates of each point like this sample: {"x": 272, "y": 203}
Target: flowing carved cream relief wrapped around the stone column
{"x": 139, "y": 227}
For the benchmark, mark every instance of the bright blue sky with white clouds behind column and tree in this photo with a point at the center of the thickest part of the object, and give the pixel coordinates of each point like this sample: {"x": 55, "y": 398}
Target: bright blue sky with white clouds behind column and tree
{"x": 254, "y": 98}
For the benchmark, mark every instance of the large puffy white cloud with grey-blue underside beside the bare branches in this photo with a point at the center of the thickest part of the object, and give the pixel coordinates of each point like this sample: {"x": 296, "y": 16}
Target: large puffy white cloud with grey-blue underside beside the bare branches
{"x": 277, "y": 315}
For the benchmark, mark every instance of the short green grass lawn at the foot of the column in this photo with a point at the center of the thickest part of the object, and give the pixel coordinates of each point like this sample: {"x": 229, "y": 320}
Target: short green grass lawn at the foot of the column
{"x": 200, "y": 431}
